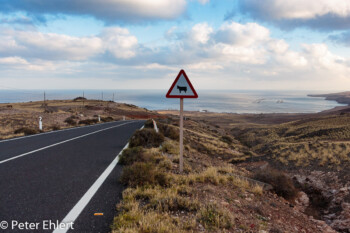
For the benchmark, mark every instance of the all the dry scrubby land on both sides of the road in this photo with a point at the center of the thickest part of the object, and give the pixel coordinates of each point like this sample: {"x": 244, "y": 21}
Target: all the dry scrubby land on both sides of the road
{"x": 242, "y": 173}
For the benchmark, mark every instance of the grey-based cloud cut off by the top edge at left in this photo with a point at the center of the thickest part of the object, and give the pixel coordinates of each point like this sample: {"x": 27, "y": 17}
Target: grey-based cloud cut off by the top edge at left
{"x": 110, "y": 11}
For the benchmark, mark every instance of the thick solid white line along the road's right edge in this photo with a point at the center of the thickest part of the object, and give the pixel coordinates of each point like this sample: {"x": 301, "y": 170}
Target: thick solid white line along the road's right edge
{"x": 82, "y": 203}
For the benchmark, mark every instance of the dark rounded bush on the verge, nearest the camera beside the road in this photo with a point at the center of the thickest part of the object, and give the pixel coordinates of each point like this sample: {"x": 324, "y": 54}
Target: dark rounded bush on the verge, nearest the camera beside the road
{"x": 140, "y": 173}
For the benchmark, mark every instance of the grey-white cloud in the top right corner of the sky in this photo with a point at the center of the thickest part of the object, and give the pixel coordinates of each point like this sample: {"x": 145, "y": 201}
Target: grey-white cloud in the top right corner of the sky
{"x": 320, "y": 14}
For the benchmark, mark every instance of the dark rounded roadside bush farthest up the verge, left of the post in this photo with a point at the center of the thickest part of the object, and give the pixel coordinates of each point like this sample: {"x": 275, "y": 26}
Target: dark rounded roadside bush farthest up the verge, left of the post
{"x": 147, "y": 138}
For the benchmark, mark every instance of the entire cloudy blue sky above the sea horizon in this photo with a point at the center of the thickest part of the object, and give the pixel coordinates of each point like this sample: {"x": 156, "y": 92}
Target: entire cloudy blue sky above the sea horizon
{"x": 143, "y": 44}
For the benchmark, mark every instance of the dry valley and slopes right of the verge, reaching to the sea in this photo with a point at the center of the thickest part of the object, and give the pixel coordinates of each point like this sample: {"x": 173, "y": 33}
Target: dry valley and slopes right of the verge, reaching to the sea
{"x": 313, "y": 150}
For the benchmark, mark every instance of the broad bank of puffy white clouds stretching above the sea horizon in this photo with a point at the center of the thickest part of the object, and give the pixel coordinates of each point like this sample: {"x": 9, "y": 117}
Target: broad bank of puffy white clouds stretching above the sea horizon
{"x": 243, "y": 54}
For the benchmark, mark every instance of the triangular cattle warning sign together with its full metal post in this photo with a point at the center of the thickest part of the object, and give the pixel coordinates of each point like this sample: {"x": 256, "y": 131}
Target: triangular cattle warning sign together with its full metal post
{"x": 181, "y": 88}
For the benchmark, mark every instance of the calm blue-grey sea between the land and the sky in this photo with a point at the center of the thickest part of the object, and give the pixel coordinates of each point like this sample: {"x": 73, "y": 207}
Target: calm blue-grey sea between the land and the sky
{"x": 232, "y": 101}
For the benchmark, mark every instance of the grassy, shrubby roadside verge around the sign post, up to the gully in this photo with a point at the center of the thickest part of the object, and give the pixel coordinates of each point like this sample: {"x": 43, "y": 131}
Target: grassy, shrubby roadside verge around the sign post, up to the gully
{"x": 212, "y": 195}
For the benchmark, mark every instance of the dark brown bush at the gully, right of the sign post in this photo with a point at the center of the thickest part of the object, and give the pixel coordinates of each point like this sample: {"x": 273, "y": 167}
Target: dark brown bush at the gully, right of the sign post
{"x": 281, "y": 183}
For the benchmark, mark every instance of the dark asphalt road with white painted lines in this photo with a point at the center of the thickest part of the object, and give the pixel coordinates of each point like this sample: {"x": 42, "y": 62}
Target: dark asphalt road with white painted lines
{"x": 51, "y": 177}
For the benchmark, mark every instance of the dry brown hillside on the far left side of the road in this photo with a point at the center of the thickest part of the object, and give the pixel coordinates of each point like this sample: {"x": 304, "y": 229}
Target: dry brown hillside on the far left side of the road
{"x": 18, "y": 119}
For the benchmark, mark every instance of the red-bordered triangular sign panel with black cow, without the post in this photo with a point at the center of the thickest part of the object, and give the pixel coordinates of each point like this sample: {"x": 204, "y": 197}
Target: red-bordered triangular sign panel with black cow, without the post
{"x": 182, "y": 87}
